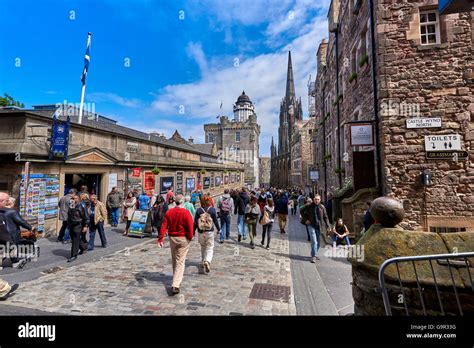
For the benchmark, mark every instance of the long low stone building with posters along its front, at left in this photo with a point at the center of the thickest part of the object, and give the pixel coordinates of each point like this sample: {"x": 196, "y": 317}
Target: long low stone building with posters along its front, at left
{"x": 102, "y": 154}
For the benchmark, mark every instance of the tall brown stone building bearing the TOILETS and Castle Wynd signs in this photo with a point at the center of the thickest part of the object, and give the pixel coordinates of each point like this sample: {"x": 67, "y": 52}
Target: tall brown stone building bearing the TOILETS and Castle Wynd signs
{"x": 371, "y": 130}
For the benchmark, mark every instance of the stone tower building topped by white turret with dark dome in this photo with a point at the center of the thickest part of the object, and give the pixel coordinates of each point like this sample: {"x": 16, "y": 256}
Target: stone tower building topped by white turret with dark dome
{"x": 238, "y": 139}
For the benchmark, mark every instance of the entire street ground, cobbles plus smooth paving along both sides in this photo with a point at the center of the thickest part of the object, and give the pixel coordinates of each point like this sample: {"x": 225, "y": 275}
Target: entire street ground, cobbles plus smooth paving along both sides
{"x": 132, "y": 276}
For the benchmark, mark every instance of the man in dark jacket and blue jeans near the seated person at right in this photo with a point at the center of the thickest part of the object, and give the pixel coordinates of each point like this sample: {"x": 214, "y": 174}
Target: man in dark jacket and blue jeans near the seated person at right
{"x": 315, "y": 214}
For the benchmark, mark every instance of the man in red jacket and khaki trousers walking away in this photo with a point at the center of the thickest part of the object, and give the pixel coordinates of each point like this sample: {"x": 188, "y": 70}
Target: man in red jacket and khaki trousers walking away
{"x": 180, "y": 227}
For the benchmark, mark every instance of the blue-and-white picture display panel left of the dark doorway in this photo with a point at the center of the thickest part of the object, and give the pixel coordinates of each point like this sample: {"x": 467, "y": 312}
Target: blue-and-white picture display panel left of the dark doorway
{"x": 40, "y": 207}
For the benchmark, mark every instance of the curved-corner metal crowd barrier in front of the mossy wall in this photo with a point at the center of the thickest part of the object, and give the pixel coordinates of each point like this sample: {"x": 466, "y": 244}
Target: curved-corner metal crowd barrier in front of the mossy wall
{"x": 442, "y": 259}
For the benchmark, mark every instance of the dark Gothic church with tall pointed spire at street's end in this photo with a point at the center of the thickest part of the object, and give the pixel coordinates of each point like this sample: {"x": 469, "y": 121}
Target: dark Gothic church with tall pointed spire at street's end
{"x": 291, "y": 111}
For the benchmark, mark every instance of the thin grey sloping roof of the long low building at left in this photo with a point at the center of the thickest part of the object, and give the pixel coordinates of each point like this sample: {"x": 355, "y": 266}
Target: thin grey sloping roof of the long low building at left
{"x": 113, "y": 128}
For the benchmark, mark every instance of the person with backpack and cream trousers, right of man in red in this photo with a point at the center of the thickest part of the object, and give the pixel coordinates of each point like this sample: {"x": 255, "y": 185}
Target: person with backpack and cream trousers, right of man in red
{"x": 204, "y": 220}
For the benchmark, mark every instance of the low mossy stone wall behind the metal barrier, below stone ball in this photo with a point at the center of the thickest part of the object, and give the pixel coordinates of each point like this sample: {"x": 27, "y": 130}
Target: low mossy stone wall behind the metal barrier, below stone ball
{"x": 396, "y": 242}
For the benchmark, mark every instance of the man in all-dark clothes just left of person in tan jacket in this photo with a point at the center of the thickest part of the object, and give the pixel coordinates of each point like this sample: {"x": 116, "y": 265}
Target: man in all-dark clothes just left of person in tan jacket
{"x": 78, "y": 221}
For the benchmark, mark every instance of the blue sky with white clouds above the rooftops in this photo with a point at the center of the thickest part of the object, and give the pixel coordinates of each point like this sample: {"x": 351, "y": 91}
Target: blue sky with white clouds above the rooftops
{"x": 161, "y": 65}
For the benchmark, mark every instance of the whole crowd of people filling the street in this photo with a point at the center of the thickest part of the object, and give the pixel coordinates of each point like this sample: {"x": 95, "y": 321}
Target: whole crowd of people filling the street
{"x": 182, "y": 217}
